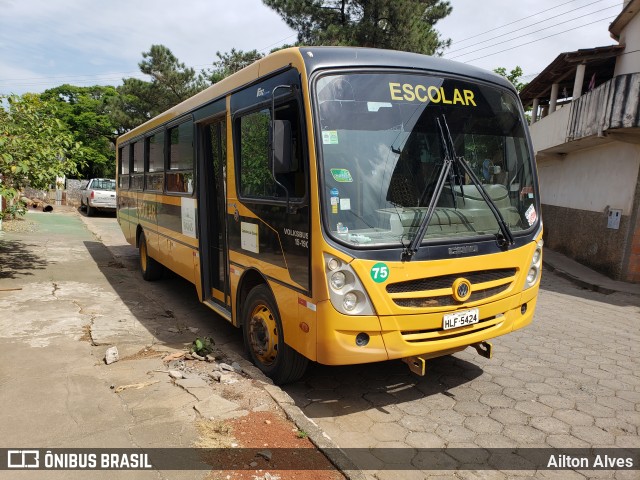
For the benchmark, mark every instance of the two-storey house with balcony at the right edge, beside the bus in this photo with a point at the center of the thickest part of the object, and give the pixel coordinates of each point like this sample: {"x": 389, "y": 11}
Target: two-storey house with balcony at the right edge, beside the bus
{"x": 585, "y": 127}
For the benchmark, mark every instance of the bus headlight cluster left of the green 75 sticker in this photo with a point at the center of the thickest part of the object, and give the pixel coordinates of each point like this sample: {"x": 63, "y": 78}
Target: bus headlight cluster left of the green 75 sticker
{"x": 346, "y": 291}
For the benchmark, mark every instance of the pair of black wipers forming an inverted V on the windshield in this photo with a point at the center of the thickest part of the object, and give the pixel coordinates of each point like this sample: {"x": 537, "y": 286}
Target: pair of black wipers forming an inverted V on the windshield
{"x": 504, "y": 239}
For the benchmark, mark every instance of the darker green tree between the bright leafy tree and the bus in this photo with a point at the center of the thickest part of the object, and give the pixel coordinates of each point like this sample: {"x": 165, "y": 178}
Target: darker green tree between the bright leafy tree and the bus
{"x": 86, "y": 111}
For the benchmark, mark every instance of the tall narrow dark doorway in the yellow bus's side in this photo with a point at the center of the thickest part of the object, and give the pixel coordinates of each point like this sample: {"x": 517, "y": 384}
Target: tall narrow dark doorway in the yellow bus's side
{"x": 212, "y": 211}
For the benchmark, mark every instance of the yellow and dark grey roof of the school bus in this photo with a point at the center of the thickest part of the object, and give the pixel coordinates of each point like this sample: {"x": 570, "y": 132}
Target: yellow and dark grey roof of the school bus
{"x": 315, "y": 59}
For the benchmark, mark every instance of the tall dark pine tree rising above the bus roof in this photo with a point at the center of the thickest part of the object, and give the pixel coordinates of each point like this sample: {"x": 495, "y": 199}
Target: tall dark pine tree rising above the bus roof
{"x": 400, "y": 25}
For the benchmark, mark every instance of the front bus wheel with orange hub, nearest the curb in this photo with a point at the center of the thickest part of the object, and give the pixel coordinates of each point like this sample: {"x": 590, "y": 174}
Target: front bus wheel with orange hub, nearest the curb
{"x": 264, "y": 339}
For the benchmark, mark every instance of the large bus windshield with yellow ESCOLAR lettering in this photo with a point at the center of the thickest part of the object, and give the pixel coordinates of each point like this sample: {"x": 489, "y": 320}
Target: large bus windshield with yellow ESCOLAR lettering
{"x": 383, "y": 149}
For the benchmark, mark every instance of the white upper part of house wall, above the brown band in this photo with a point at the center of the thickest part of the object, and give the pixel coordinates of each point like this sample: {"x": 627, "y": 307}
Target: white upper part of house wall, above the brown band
{"x": 591, "y": 179}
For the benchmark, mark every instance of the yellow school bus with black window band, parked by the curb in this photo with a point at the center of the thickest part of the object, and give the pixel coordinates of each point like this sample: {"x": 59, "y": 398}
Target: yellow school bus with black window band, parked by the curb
{"x": 342, "y": 206}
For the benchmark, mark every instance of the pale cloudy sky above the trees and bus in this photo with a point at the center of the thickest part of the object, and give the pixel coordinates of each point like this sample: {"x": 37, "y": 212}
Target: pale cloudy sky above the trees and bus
{"x": 46, "y": 43}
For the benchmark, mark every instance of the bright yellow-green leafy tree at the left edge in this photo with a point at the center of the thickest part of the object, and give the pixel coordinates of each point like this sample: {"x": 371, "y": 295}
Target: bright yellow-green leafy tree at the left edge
{"x": 35, "y": 146}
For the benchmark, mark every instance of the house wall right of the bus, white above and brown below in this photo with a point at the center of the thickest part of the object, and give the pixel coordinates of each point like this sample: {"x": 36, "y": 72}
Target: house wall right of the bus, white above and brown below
{"x": 577, "y": 192}
